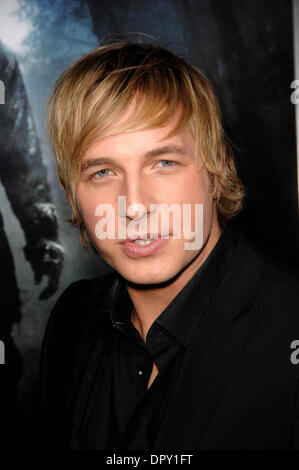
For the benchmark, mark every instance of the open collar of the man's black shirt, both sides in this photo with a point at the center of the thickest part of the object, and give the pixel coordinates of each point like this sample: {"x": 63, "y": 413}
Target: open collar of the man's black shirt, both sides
{"x": 184, "y": 313}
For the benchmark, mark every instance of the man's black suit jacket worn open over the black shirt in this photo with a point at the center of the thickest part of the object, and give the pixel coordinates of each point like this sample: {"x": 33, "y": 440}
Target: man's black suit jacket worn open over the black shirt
{"x": 237, "y": 388}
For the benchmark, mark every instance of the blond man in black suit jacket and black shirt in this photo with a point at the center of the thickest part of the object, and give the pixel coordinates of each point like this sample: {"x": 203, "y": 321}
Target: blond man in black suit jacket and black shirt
{"x": 178, "y": 348}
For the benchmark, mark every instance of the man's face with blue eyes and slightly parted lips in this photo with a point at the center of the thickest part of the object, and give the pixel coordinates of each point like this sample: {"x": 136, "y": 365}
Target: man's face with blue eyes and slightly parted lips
{"x": 147, "y": 169}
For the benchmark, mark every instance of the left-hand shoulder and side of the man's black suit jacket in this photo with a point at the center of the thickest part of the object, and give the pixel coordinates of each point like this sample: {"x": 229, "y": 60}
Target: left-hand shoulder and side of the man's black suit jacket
{"x": 60, "y": 351}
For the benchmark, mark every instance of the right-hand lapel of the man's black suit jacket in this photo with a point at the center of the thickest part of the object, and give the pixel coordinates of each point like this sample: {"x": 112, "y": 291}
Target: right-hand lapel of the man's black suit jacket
{"x": 217, "y": 345}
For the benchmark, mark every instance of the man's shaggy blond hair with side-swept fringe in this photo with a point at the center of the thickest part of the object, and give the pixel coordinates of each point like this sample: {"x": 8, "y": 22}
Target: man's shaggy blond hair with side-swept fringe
{"x": 95, "y": 91}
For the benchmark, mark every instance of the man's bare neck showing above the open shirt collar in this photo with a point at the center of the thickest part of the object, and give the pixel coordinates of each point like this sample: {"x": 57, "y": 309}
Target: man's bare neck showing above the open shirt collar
{"x": 150, "y": 301}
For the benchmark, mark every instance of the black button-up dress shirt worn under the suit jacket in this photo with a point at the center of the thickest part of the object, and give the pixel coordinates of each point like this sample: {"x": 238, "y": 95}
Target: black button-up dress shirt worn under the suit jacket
{"x": 122, "y": 413}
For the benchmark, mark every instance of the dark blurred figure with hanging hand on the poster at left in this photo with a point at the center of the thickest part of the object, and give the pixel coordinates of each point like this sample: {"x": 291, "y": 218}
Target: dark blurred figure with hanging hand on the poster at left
{"x": 23, "y": 175}
